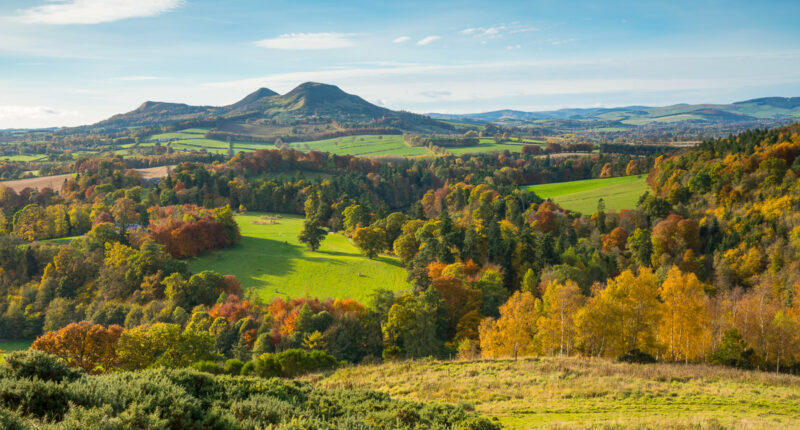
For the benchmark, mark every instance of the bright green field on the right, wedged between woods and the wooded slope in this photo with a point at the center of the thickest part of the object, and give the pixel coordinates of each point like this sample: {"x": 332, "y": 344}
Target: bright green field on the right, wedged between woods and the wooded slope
{"x": 582, "y": 196}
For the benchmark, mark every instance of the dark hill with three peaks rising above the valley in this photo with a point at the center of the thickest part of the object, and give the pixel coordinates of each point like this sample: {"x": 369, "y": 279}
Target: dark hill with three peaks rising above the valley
{"x": 309, "y": 102}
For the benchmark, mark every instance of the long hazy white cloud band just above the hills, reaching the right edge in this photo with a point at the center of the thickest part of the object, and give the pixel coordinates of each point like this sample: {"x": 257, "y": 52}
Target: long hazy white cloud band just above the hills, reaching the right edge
{"x": 520, "y": 84}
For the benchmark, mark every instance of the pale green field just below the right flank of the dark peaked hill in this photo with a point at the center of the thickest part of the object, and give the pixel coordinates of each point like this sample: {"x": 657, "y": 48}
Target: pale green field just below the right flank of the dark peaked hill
{"x": 363, "y": 146}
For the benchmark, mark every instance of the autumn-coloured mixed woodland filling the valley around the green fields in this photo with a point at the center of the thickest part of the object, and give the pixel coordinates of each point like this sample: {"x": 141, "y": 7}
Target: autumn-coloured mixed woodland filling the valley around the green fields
{"x": 705, "y": 269}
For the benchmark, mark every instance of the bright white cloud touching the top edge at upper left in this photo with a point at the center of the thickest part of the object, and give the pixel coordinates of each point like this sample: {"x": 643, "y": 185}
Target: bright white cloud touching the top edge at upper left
{"x": 64, "y": 12}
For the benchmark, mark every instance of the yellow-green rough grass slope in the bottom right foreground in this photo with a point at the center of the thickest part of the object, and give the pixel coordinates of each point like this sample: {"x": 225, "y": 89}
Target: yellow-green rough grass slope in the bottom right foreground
{"x": 581, "y": 393}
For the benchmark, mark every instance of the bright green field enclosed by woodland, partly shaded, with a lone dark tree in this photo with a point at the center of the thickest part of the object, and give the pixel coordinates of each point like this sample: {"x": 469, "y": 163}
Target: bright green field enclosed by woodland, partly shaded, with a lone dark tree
{"x": 272, "y": 260}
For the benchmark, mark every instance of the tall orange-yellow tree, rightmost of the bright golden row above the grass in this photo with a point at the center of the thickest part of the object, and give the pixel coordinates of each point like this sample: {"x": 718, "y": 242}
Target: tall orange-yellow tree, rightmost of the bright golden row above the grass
{"x": 684, "y": 328}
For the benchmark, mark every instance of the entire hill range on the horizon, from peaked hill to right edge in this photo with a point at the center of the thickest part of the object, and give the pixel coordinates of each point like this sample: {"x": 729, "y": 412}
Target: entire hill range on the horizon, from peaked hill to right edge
{"x": 314, "y": 111}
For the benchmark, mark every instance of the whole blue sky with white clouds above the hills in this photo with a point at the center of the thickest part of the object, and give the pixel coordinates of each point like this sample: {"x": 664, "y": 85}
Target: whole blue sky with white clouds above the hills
{"x": 73, "y": 62}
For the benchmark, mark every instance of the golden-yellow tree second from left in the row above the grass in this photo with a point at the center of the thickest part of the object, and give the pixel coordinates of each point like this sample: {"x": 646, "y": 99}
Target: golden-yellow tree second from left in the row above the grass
{"x": 556, "y": 326}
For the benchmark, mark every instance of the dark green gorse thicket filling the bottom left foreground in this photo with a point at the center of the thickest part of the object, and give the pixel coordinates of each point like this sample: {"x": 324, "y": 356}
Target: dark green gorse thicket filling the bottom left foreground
{"x": 190, "y": 399}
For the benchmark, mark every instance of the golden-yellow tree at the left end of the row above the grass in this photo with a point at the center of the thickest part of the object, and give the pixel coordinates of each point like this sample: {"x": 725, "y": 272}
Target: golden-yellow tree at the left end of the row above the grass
{"x": 514, "y": 332}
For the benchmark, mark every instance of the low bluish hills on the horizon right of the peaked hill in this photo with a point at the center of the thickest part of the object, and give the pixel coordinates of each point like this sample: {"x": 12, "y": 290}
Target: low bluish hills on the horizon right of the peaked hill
{"x": 769, "y": 108}
